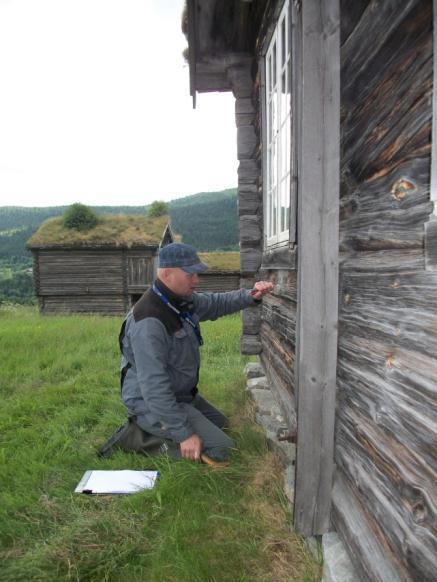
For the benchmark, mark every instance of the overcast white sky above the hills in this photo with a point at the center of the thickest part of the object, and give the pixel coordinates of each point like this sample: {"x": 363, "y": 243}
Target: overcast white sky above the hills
{"x": 95, "y": 106}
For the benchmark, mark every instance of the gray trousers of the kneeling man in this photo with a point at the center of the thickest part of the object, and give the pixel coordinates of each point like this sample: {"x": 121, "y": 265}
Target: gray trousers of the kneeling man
{"x": 207, "y": 423}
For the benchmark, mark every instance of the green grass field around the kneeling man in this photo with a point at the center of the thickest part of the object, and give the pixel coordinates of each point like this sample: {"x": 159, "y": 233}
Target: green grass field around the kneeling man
{"x": 60, "y": 400}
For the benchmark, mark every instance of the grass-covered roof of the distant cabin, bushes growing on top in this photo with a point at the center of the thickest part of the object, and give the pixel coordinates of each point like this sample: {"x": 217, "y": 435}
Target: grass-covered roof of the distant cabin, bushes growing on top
{"x": 118, "y": 230}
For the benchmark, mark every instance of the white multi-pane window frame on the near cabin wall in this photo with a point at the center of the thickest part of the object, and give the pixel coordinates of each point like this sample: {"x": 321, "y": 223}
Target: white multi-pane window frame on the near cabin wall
{"x": 277, "y": 127}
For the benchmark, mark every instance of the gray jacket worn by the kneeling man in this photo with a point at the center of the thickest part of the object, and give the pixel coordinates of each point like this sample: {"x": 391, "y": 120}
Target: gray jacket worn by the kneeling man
{"x": 160, "y": 367}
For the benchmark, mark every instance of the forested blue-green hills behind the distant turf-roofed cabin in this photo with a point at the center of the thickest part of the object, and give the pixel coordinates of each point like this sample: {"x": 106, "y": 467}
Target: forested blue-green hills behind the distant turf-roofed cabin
{"x": 207, "y": 220}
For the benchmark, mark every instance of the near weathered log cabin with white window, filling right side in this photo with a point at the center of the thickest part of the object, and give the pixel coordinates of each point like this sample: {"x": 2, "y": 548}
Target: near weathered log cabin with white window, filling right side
{"x": 337, "y": 149}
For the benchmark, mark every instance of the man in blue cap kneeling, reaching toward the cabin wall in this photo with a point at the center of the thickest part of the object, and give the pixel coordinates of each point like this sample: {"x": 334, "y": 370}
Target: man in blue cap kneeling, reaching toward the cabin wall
{"x": 159, "y": 340}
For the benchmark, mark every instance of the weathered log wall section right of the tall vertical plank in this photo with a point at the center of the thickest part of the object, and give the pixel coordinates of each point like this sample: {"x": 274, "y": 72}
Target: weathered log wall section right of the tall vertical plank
{"x": 385, "y": 494}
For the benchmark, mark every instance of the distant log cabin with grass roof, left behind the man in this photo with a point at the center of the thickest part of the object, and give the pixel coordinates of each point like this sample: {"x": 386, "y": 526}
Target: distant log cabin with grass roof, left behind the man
{"x": 102, "y": 270}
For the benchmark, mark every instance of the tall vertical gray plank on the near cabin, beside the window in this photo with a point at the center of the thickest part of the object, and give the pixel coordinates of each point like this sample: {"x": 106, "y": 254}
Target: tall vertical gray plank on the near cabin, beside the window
{"x": 316, "y": 349}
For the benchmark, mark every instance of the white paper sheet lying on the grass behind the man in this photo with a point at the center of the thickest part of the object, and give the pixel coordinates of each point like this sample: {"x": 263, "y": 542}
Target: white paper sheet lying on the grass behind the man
{"x": 116, "y": 482}
